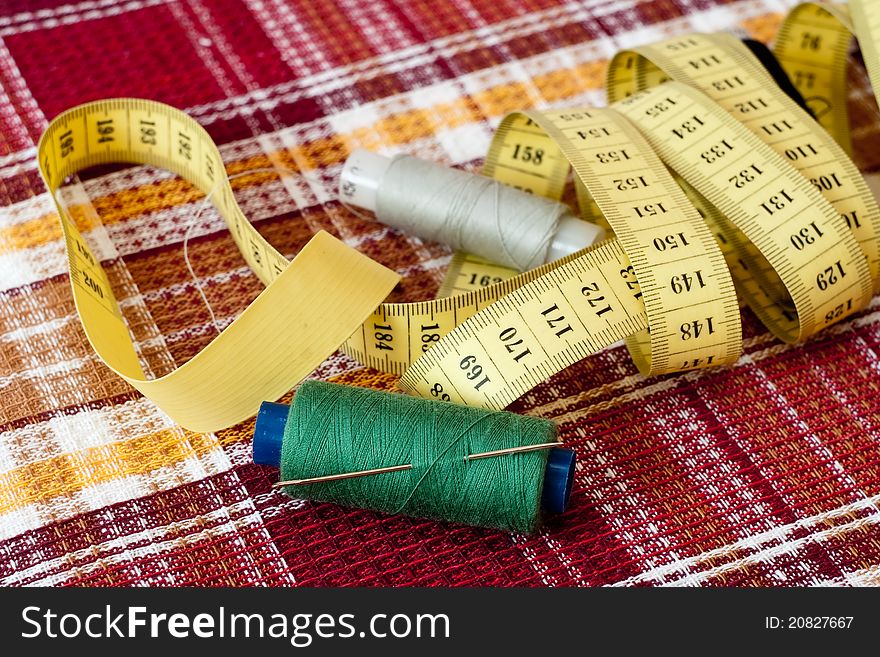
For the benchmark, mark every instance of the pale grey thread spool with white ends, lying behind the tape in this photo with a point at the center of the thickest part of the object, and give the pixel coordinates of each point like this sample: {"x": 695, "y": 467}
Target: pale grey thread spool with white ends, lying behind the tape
{"x": 466, "y": 211}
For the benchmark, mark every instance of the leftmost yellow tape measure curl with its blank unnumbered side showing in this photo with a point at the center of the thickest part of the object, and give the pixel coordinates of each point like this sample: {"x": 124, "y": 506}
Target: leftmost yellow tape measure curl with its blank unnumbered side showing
{"x": 272, "y": 344}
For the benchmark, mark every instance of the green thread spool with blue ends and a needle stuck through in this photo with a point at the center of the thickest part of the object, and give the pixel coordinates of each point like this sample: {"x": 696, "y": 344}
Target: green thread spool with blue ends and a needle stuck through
{"x": 333, "y": 429}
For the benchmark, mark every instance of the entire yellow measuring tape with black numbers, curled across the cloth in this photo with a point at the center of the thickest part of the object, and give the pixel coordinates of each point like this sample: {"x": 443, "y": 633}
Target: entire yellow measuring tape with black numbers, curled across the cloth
{"x": 792, "y": 217}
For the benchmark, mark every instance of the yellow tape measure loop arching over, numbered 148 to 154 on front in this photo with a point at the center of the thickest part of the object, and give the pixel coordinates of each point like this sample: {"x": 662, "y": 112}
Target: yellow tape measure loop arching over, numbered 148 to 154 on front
{"x": 677, "y": 271}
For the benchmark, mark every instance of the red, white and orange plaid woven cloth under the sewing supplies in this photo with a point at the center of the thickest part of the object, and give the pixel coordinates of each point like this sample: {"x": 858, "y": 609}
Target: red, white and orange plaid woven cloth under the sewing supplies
{"x": 765, "y": 473}
